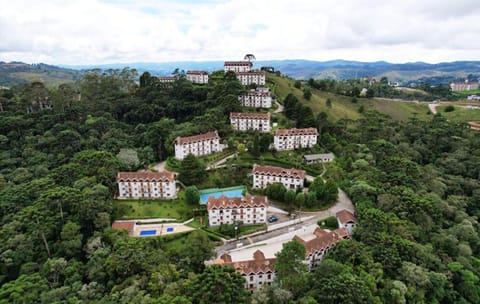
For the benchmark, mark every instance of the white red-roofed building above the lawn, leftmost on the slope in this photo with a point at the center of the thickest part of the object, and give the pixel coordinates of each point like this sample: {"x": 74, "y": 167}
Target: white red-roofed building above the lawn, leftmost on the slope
{"x": 146, "y": 185}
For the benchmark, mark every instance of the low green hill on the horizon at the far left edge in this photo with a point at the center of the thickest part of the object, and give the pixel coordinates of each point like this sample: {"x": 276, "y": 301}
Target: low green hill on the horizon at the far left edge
{"x": 13, "y": 73}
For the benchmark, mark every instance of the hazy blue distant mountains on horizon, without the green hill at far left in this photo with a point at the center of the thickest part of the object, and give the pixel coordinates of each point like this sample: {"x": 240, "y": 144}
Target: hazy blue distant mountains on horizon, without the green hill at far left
{"x": 405, "y": 73}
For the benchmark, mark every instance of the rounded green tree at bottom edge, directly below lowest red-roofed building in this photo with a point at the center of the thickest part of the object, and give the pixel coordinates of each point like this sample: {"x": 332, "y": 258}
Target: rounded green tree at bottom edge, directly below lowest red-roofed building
{"x": 219, "y": 284}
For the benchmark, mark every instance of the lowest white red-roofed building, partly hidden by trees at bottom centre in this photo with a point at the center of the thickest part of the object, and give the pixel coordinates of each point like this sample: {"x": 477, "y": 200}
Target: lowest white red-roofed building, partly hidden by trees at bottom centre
{"x": 257, "y": 272}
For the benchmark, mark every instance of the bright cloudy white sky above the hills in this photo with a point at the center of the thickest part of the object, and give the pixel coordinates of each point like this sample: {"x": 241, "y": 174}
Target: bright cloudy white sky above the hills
{"x": 121, "y": 31}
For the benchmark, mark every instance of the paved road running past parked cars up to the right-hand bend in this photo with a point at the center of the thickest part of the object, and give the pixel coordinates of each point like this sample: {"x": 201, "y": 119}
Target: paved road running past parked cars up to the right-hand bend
{"x": 343, "y": 202}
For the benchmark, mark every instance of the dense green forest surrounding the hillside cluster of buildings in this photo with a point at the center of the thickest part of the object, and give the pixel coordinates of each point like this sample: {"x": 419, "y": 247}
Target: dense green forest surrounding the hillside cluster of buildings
{"x": 415, "y": 185}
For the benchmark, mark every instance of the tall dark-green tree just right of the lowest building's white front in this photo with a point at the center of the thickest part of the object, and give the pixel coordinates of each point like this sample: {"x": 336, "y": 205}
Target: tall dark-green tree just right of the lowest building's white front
{"x": 291, "y": 271}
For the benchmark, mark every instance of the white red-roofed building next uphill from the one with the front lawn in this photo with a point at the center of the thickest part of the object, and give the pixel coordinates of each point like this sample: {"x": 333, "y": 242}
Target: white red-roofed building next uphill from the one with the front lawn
{"x": 198, "y": 145}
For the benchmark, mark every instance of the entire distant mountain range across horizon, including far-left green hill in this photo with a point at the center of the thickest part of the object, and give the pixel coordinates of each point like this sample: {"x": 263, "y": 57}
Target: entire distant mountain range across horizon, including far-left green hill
{"x": 405, "y": 73}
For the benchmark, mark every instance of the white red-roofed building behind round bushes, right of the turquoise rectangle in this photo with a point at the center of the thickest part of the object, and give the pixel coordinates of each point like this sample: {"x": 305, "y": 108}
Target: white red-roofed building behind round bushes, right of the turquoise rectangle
{"x": 265, "y": 175}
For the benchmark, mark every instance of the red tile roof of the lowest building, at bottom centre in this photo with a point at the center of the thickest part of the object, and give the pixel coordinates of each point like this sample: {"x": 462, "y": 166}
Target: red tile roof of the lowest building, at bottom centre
{"x": 259, "y": 264}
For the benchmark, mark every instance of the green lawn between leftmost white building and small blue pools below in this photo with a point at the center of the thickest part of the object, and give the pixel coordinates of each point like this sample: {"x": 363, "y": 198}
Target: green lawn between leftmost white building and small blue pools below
{"x": 143, "y": 209}
